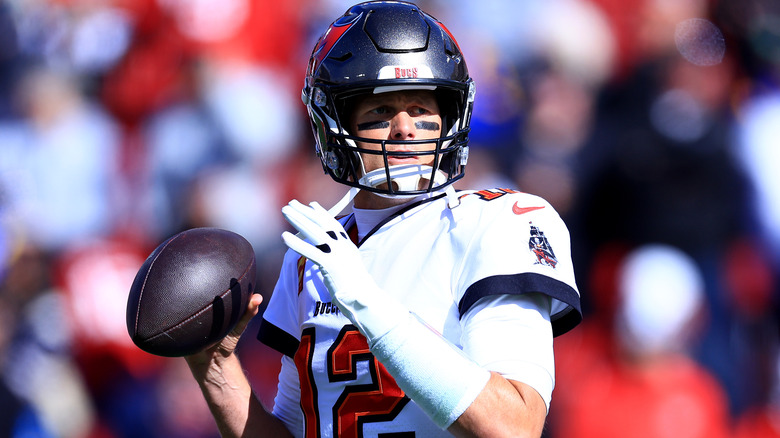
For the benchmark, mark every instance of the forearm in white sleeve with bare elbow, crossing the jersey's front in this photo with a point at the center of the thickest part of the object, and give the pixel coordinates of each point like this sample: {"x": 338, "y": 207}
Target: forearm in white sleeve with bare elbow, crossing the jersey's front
{"x": 454, "y": 390}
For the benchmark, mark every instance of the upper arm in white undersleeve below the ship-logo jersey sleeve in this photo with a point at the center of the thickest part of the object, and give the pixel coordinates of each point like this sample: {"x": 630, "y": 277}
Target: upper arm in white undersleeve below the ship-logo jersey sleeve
{"x": 512, "y": 336}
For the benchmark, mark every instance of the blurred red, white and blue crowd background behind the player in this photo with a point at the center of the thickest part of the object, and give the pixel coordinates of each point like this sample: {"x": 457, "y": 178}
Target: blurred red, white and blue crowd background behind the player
{"x": 653, "y": 127}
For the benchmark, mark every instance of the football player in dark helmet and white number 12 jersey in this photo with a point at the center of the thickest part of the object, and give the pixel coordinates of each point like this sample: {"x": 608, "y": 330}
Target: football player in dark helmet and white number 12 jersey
{"x": 424, "y": 311}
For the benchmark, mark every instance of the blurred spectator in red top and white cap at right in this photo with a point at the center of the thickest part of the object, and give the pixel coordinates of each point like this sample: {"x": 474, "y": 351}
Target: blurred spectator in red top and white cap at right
{"x": 608, "y": 387}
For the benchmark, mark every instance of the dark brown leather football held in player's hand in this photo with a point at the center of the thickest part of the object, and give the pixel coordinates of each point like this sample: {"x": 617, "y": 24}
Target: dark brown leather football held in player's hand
{"x": 190, "y": 292}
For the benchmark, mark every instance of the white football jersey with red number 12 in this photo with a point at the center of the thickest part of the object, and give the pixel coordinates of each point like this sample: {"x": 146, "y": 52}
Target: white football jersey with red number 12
{"x": 492, "y": 275}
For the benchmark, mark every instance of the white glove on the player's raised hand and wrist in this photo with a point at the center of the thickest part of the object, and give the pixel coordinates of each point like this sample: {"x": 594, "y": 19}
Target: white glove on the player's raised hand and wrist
{"x": 350, "y": 285}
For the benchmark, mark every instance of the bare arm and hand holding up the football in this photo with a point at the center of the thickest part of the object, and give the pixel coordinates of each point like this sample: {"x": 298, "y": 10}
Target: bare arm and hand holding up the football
{"x": 236, "y": 410}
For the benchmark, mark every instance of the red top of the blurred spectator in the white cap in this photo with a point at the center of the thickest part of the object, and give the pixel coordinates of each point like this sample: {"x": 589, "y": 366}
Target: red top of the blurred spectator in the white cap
{"x": 671, "y": 397}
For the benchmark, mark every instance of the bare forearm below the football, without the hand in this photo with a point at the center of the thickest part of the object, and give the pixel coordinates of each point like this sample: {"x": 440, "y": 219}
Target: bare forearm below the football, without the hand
{"x": 236, "y": 410}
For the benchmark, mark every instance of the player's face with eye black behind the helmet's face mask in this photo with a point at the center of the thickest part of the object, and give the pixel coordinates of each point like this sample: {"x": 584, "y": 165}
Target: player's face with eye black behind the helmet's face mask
{"x": 398, "y": 115}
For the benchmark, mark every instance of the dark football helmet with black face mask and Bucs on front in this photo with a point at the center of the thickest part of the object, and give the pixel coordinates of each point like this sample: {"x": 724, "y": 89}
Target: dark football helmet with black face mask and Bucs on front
{"x": 384, "y": 46}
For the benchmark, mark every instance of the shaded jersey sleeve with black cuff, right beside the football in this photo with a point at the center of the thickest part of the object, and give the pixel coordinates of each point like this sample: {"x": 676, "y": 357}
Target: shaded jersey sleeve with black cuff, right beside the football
{"x": 280, "y": 326}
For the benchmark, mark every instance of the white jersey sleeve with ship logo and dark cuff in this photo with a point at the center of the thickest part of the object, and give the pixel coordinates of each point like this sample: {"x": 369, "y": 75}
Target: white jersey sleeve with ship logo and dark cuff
{"x": 520, "y": 245}
